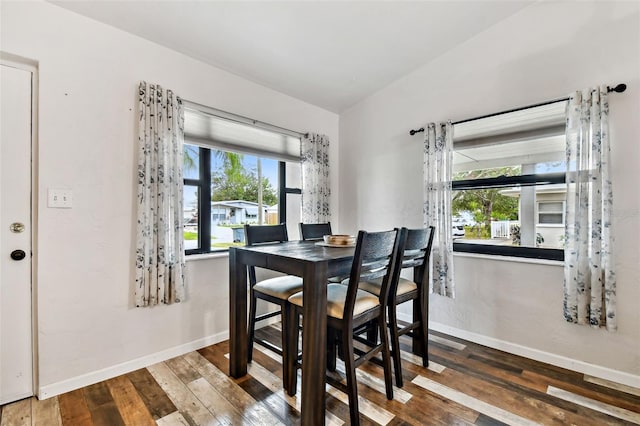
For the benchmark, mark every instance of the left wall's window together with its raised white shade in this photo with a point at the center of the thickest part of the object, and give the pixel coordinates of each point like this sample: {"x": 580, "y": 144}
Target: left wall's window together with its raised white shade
{"x": 236, "y": 174}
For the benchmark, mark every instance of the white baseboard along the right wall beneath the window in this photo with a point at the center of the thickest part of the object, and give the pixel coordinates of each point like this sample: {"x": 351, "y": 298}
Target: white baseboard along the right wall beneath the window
{"x": 617, "y": 376}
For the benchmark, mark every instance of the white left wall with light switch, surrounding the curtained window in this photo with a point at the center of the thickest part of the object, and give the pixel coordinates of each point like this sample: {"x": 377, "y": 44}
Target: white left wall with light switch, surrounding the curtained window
{"x": 87, "y": 326}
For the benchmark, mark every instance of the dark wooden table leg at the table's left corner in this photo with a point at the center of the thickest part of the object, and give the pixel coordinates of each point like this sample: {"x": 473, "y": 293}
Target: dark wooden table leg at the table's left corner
{"x": 237, "y": 315}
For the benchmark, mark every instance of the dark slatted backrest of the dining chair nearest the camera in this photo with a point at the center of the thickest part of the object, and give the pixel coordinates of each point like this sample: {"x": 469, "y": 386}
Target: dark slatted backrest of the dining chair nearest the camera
{"x": 375, "y": 256}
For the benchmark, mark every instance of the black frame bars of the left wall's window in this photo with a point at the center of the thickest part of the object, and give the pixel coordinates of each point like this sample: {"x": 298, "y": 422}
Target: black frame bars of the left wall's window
{"x": 203, "y": 183}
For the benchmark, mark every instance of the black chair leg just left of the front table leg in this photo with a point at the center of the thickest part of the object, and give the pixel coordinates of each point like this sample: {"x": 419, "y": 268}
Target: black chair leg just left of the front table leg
{"x": 290, "y": 323}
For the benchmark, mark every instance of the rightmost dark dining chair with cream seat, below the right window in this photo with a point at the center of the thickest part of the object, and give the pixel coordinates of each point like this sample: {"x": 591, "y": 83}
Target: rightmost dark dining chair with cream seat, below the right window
{"x": 414, "y": 252}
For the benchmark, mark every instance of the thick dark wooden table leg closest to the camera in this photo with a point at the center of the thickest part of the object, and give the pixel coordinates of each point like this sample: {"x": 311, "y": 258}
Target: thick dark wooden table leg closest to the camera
{"x": 314, "y": 344}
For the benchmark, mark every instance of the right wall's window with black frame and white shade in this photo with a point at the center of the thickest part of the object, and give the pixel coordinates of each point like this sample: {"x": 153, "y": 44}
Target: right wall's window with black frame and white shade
{"x": 508, "y": 183}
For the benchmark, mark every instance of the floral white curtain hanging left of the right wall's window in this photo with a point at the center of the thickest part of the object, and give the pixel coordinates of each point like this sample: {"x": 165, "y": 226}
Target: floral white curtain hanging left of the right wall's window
{"x": 438, "y": 164}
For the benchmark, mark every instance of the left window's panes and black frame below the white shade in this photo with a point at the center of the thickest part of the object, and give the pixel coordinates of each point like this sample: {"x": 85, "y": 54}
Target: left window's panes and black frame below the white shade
{"x": 224, "y": 188}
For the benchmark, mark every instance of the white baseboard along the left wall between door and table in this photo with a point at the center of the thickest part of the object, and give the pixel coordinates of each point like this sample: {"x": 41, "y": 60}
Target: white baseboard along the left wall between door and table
{"x": 78, "y": 382}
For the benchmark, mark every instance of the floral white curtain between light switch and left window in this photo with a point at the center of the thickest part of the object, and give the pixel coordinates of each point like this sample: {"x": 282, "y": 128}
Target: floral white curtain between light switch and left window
{"x": 160, "y": 257}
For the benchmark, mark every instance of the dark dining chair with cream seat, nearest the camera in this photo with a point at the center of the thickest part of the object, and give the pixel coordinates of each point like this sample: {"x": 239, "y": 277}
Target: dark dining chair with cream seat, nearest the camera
{"x": 350, "y": 309}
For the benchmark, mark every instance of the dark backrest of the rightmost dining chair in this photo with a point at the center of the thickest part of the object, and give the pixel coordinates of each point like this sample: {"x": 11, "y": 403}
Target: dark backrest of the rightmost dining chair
{"x": 414, "y": 252}
